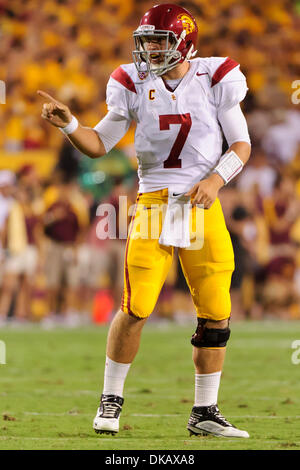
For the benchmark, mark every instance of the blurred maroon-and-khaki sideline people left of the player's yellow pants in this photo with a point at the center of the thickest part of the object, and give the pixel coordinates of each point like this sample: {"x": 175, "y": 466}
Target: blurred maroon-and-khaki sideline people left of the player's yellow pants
{"x": 57, "y": 263}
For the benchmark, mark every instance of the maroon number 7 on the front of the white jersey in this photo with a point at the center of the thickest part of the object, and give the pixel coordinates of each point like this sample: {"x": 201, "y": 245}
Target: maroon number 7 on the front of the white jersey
{"x": 185, "y": 122}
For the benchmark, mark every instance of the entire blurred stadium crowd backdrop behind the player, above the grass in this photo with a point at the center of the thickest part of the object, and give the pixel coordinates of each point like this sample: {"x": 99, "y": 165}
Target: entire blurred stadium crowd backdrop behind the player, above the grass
{"x": 69, "y": 49}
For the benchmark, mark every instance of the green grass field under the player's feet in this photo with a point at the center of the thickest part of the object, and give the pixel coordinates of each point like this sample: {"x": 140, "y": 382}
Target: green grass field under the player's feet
{"x": 50, "y": 385}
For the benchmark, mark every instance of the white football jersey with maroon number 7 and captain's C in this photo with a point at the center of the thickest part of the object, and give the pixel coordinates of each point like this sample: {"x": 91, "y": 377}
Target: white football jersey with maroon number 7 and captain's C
{"x": 178, "y": 138}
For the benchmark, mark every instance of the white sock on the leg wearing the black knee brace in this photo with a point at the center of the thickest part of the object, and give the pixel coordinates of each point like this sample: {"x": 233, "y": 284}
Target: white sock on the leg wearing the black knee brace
{"x": 206, "y": 388}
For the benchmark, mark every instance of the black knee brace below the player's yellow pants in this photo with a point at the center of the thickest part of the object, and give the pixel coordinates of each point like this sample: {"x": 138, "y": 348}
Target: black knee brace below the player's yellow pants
{"x": 209, "y": 337}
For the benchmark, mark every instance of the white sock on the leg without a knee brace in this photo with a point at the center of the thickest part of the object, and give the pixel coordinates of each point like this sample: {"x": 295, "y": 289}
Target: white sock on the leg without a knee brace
{"x": 114, "y": 377}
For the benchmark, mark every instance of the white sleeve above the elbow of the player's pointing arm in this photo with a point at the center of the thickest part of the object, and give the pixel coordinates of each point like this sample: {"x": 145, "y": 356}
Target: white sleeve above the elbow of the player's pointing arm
{"x": 111, "y": 129}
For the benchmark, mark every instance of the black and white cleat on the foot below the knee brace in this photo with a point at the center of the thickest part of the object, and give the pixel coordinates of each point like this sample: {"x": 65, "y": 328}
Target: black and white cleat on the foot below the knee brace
{"x": 206, "y": 420}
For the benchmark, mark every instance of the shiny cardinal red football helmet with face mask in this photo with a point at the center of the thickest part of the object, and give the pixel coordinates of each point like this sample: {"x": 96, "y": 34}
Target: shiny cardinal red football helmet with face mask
{"x": 171, "y": 23}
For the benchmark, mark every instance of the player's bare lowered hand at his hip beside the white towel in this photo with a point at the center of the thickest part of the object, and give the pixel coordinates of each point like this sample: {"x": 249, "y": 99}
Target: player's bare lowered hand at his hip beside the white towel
{"x": 206, "y": 191}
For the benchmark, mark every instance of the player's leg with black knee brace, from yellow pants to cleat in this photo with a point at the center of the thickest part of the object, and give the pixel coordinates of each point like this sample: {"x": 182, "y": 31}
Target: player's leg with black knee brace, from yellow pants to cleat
{"x": 208, "y": 273}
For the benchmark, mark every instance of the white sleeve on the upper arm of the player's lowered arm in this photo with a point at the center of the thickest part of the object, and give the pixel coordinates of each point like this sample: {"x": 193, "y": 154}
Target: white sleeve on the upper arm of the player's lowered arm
{"x": 234, "y": 125}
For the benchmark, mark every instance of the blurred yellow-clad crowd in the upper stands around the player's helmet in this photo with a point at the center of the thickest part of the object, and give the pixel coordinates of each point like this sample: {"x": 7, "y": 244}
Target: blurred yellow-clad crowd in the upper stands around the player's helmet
{"x": 70, "y": 47}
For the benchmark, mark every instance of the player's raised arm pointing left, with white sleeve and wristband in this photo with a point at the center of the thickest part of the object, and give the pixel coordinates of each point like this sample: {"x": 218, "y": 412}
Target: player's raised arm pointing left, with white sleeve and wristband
{"x": 91, "y": 142}
